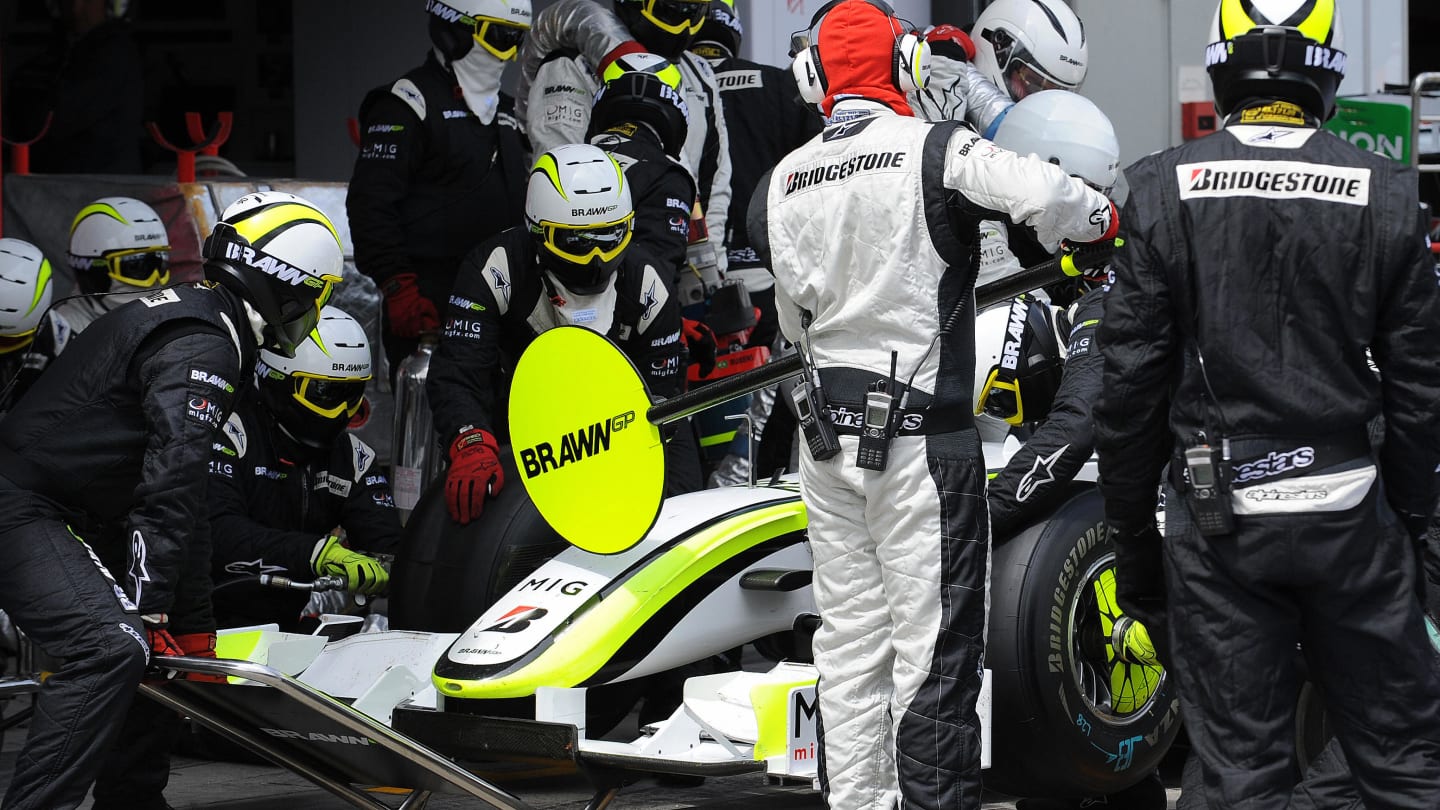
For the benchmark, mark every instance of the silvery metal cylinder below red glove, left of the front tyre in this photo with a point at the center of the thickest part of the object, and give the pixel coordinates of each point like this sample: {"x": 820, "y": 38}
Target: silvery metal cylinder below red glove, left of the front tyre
{"x": 417, "y": 458}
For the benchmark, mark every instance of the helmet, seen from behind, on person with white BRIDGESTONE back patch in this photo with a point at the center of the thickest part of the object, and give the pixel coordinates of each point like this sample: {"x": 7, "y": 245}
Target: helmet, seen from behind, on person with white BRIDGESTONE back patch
{"x": 1278, "y": 50}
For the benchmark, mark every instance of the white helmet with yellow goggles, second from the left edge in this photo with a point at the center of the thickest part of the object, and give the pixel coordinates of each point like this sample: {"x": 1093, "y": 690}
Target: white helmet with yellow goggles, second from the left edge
{"x": 117, "y": 244}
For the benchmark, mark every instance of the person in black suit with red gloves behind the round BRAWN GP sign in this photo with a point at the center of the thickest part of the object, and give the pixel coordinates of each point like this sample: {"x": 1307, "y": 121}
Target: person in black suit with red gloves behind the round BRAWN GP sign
{"x": 571, "y": 269}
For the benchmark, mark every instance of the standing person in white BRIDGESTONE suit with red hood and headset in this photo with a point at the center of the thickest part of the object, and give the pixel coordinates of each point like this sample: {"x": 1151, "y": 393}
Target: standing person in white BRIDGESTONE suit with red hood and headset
{"x": 872, "y": 233}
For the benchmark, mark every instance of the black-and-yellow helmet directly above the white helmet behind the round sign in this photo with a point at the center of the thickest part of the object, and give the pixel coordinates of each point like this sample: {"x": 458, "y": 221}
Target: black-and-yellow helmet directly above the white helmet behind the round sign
{"x": 643, "y": 89}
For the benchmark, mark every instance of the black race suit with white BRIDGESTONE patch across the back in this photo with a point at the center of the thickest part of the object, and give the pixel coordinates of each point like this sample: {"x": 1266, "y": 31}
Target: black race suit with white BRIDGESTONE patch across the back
{"x": 1288, "y": 253}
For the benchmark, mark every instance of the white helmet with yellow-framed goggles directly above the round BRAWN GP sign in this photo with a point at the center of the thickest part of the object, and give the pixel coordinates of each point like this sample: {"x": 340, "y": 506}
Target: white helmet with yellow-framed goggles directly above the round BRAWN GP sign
{"x": 578, "y": 208}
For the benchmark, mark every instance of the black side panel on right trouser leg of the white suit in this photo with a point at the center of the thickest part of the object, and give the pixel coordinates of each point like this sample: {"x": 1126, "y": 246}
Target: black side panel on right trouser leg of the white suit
{"x": 938, "y": 742}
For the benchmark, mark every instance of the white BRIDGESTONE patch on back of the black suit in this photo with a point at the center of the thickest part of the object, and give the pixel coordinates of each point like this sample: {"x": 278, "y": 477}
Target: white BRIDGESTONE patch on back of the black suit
{"x": 1274, "y": 179}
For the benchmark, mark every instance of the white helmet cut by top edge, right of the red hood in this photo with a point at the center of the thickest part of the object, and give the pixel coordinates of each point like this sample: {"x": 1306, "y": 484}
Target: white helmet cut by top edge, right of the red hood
{"x": 1026, "y": 47}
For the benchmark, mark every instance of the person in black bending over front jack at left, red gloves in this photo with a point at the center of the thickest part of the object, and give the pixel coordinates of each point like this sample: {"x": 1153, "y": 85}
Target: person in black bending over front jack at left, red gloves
{"x": 113, "y": 440}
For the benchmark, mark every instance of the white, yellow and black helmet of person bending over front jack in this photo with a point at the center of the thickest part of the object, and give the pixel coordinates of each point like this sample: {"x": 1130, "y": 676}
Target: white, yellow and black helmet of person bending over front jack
{"x": 283, "y": 257}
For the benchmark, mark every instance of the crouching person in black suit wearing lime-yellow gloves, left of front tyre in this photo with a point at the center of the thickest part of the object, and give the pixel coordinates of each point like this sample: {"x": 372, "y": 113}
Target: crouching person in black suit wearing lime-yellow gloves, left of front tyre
{"x": 286, "y": 475}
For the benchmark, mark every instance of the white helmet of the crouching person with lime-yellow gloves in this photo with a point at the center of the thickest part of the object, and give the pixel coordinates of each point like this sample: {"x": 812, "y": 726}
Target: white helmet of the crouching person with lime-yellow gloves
{"x": 316, "y": 394}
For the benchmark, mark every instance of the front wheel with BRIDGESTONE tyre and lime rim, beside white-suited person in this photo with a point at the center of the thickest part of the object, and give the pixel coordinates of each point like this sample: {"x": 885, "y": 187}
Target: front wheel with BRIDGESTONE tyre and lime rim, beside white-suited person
{"x": 1071, "y": 718}
